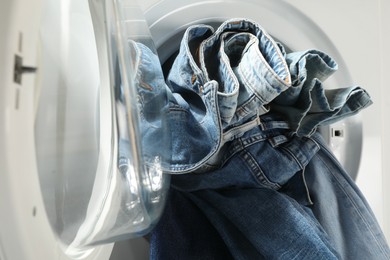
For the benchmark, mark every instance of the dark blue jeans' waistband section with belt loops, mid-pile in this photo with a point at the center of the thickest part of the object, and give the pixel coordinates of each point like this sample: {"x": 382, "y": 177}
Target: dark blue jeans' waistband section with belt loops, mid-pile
{"x": 269, "y": 142}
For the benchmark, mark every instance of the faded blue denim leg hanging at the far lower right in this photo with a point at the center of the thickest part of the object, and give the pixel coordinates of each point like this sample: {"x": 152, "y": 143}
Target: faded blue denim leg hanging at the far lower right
{"x": 342, "y": 210}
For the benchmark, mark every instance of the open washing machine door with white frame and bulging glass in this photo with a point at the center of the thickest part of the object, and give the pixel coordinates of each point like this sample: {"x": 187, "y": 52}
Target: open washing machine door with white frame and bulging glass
{"x": 83, "y": 136}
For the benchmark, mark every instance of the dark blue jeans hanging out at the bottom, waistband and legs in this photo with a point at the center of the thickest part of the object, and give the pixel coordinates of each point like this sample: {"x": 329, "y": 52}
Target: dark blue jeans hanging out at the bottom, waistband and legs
{"x": 260, "y": 199}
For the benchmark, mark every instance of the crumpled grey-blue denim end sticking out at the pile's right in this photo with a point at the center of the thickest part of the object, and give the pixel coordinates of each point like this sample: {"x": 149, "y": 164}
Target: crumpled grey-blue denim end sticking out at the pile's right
{"x": 306, "y": 103}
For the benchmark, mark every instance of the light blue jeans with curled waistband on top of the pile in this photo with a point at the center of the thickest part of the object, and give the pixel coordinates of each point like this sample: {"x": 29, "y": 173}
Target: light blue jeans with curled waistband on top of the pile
{"x": 237, "y": 106}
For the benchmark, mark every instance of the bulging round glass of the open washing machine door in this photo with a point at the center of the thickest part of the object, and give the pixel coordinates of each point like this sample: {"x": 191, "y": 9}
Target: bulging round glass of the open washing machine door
{"x": 97, "y": 124}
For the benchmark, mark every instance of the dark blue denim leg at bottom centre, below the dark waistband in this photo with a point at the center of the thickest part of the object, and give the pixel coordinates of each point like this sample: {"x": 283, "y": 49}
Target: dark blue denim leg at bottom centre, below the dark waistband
{"x": 217, "y": 224}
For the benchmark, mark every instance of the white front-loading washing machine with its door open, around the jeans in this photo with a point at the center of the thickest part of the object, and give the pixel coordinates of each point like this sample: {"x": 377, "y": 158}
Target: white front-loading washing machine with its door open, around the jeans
{"x": 62, "y": 121}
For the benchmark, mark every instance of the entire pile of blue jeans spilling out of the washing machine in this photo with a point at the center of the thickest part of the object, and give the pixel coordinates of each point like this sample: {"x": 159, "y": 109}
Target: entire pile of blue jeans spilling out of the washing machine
{"x": 251, "y": 176}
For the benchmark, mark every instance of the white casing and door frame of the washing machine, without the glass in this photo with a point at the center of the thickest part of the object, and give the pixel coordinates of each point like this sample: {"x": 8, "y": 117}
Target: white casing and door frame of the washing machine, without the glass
{"x": 355, "y": 33}
